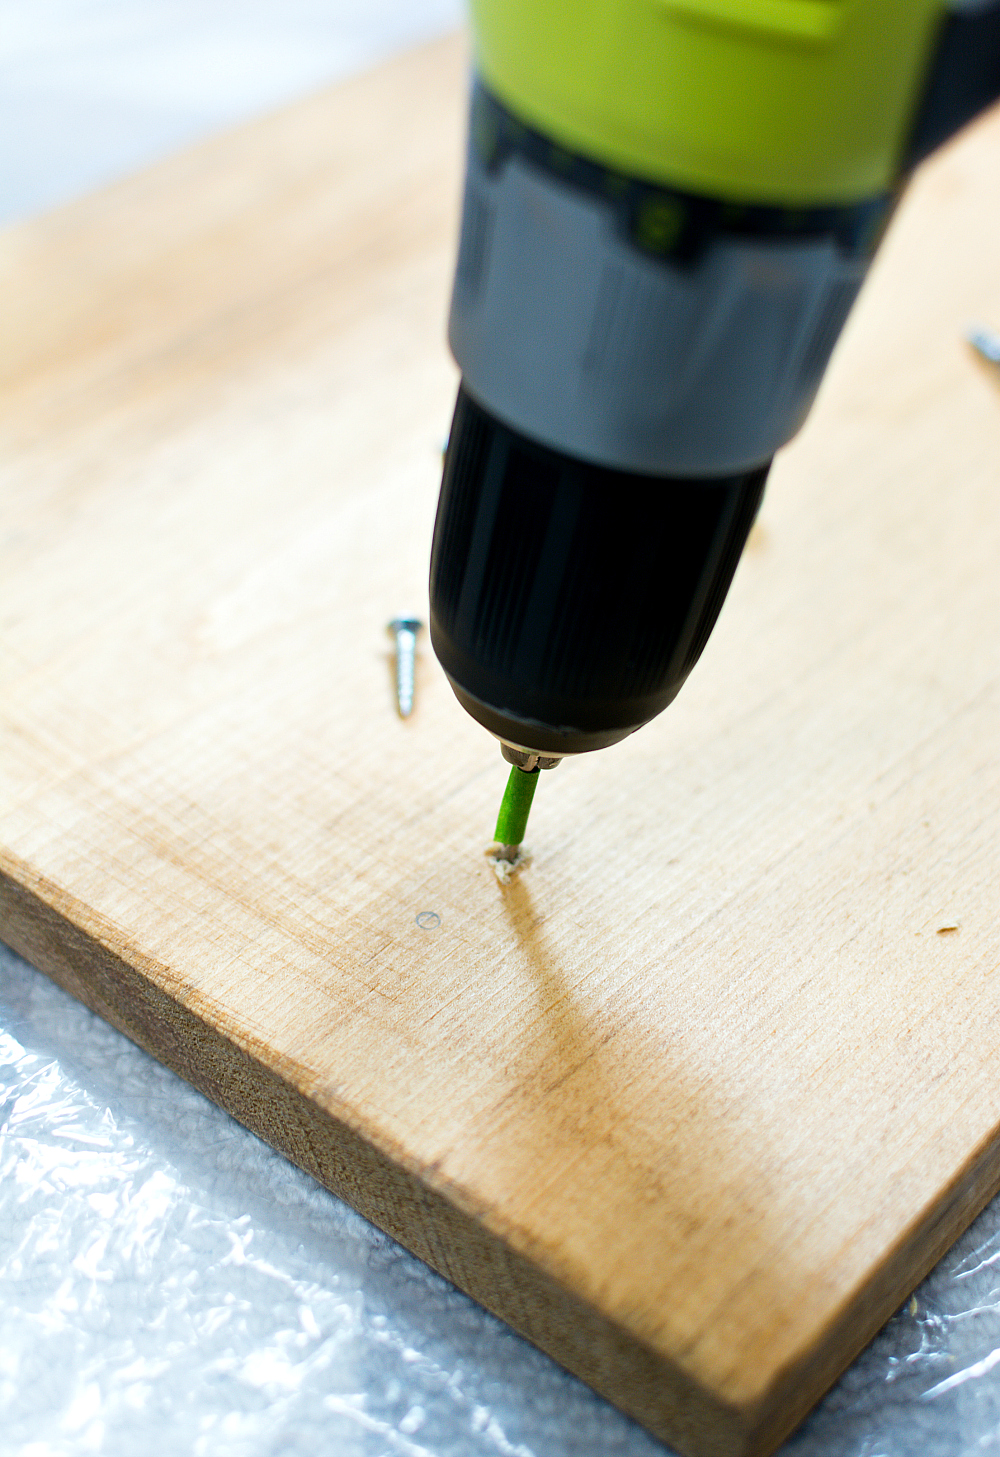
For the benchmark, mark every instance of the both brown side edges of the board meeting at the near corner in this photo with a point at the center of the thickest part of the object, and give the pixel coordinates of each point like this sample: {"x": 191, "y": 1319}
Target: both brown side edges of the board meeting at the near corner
{"x": 633, "y": 1378}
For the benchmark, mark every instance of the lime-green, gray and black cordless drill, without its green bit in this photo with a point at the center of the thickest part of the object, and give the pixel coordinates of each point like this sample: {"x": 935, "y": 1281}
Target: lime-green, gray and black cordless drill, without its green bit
{"x": 670, "y": 211}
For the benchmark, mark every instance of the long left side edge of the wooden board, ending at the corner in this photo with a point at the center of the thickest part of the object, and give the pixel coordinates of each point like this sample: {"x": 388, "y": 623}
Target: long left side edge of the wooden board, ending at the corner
{"x": 633, "y": 1378}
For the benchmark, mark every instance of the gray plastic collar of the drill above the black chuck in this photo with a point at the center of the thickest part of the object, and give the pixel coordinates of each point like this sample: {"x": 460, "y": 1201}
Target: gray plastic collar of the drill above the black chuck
{"x": 569, "y": 334}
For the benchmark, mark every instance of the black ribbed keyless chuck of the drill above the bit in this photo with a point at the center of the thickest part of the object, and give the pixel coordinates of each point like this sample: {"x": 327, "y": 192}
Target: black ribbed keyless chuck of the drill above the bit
{"x": 569, "y": 602}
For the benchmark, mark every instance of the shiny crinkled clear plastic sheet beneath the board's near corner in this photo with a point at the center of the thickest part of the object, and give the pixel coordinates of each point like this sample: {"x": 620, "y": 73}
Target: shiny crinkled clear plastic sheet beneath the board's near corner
{"x": 170, "y": 1284}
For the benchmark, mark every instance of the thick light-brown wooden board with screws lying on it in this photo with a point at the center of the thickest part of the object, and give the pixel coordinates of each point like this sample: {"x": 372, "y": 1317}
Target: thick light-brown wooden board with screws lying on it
{"x": 700, "y": 1096}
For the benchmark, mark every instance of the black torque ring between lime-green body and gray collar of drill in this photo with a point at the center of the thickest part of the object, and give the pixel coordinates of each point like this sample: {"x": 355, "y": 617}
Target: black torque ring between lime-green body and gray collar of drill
{"x": 667, "y": 222}
